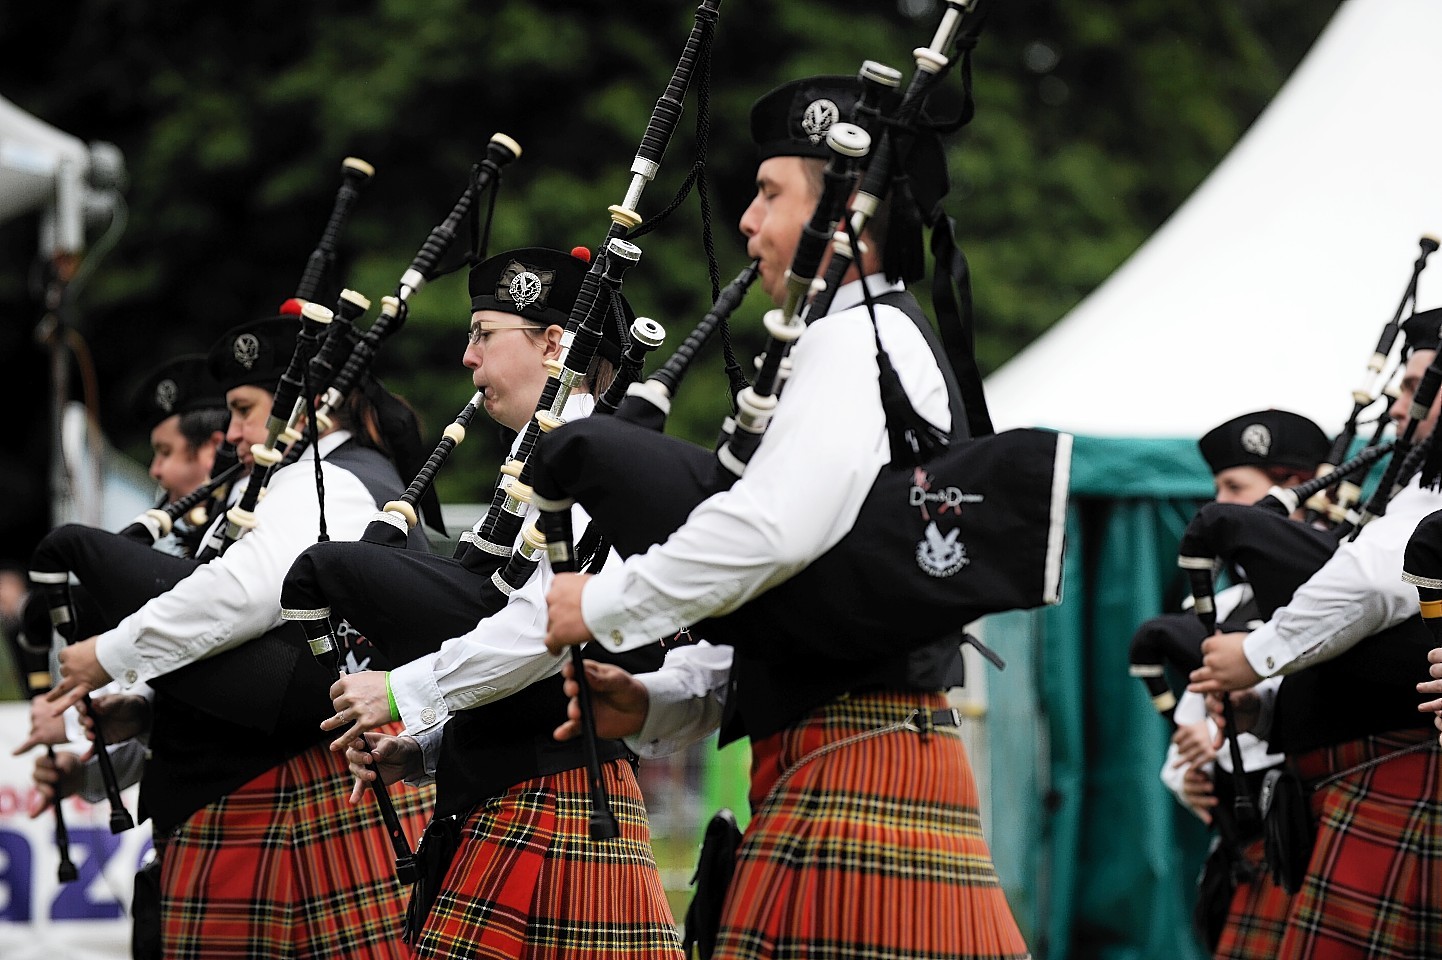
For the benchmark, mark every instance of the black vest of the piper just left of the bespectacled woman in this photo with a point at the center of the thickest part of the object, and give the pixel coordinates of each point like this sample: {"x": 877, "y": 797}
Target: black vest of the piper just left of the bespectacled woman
{"x": 223, "y": 721}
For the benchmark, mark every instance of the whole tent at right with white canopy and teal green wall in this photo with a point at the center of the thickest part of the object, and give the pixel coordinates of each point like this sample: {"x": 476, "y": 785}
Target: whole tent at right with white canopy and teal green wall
{"x": 1268, "y": 288}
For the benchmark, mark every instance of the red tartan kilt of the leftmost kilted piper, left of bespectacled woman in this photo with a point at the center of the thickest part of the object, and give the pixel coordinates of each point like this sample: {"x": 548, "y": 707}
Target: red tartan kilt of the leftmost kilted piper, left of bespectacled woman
{"x": 286, "y": 867}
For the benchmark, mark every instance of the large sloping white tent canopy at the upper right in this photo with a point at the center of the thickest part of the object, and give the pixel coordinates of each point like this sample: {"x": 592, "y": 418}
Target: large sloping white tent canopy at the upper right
{"x": 1273, "y": 282}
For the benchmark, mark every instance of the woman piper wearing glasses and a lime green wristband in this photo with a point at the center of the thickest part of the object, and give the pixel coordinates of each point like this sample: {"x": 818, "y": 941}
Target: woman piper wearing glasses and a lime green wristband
{"x": 526, "y": 879}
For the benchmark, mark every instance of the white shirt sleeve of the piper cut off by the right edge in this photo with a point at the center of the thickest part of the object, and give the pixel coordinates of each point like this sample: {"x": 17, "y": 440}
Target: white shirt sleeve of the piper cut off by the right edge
{"x": 1359, "y": 592}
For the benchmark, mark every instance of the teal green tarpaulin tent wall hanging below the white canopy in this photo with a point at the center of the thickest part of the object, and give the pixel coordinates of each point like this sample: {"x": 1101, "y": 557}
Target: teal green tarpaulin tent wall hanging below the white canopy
{"x": 1098, "y": 860}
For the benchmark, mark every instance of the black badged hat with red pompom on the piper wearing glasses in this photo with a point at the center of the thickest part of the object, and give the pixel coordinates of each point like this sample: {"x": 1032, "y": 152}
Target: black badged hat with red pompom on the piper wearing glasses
{"x": 541, "y": 285}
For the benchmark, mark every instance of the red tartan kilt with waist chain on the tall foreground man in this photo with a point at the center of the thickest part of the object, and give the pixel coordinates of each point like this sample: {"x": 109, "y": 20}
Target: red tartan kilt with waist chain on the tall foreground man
{"x": 870, "y": 850}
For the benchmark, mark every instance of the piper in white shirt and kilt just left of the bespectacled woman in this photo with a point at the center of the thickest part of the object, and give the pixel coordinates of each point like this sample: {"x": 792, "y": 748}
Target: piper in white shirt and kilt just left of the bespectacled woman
{"x": 262, "y": 855}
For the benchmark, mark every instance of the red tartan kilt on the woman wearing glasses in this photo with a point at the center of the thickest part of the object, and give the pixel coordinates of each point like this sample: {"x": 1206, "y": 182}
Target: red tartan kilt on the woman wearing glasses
{"x": 530, "y": 883}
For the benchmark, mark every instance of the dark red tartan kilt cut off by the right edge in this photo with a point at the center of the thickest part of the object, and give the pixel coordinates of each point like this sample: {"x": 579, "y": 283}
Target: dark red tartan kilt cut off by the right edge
{"x": 1374, "y": 886}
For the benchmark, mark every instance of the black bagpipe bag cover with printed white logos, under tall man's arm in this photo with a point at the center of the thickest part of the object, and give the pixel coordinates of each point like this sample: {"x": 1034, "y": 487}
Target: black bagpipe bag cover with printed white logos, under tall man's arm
{"x": 978, "y": 531}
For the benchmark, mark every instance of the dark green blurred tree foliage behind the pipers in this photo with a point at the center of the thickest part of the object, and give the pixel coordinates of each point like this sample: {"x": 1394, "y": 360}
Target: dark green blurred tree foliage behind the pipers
{"x": 1094, "y": 123}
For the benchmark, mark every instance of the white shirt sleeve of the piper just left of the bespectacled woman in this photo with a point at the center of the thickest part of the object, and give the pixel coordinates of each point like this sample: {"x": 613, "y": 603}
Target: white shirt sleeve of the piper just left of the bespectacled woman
{"x": 236, "y": 597}
